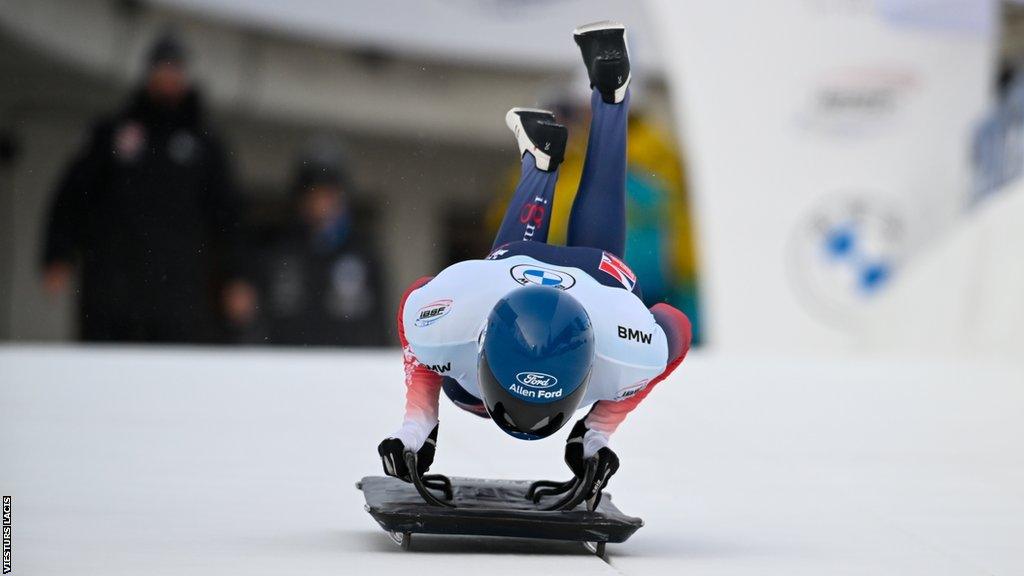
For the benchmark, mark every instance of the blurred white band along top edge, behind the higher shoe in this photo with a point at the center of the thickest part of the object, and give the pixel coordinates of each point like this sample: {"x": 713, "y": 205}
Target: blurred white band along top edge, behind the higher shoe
{"x": 516, "y": 33}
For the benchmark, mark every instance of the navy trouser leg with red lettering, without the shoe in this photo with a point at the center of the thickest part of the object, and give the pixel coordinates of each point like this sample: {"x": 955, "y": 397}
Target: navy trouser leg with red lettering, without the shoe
{"x": 529, "y": 216}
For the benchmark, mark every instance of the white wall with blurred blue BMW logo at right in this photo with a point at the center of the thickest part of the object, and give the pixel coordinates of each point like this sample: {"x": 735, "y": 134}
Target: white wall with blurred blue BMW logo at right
{"x": 828, "y": 143}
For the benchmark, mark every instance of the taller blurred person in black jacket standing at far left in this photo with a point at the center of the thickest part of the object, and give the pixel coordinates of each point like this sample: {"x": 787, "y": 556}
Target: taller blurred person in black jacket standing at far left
{"x": 147, "y": 213}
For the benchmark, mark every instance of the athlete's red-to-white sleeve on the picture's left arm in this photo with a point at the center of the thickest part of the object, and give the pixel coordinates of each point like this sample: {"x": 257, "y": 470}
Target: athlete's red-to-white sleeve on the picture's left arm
{"x": 422, "y": 388}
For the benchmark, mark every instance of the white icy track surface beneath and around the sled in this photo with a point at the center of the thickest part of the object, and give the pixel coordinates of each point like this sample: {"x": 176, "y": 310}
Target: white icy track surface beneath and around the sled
{"x": 138, "y": 462}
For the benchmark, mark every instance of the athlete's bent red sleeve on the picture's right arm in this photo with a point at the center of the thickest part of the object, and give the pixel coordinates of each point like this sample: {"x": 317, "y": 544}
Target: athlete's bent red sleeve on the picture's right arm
{"x": 607, "y": 416}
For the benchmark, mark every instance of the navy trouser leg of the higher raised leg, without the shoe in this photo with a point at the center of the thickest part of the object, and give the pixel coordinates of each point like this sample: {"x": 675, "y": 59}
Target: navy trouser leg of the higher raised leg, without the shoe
{"x": 599, "y": 218}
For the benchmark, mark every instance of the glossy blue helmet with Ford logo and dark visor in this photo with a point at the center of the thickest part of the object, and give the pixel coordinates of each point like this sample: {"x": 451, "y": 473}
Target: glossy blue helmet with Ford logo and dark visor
{"x": 535, "y": 361}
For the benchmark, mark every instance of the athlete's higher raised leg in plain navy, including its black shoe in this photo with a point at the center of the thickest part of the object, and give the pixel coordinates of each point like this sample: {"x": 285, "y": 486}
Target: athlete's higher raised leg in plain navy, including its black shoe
{"x": 599, "y": 217}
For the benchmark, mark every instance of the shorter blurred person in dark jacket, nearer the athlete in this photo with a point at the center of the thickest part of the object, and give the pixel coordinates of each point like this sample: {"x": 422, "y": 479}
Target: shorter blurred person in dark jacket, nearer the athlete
{"x": 319, "y": 279}
